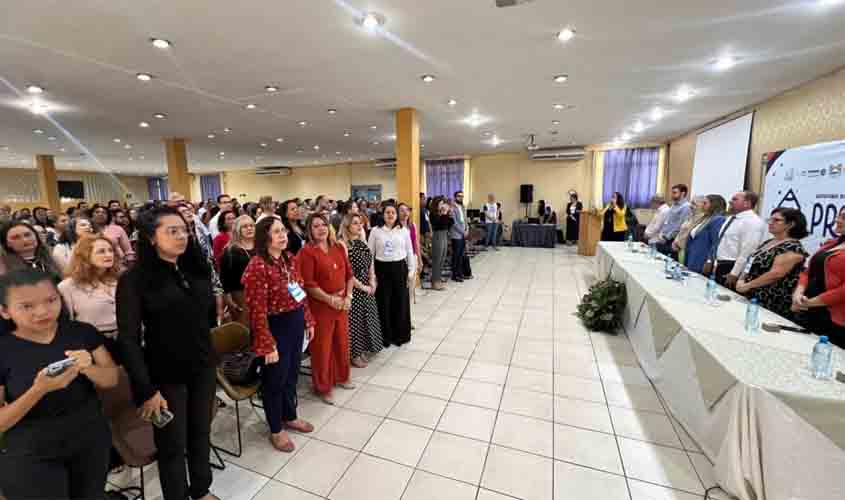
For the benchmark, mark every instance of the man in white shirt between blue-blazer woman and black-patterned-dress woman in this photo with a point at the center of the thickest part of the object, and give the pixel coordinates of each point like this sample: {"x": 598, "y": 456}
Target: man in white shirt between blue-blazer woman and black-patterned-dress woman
{"x": 740, "y": 235}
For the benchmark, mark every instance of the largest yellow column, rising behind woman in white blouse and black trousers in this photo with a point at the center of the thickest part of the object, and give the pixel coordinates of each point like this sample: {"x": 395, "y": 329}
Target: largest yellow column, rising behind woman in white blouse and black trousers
{"x": 408, "y": 159}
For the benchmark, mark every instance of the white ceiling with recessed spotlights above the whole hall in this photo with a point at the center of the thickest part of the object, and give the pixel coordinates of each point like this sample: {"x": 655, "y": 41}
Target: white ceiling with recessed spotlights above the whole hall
{"x": 627, "y": 58}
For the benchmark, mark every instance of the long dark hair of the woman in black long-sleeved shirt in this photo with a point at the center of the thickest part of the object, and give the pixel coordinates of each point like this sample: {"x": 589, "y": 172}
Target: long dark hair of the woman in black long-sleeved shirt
{"x": 191, "y": 261}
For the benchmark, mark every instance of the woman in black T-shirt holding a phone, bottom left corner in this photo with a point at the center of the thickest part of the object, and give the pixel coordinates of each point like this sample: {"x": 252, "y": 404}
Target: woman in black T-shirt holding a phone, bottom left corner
{"x": 56, "y": 438}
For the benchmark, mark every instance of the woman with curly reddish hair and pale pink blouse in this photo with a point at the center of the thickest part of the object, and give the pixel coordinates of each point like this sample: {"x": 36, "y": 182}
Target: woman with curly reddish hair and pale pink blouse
{"x": 89, "y": 289}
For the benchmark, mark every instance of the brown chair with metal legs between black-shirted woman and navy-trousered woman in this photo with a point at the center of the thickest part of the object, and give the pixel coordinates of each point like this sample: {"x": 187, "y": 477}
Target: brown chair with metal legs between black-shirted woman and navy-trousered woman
{"x": 233, "y": 337}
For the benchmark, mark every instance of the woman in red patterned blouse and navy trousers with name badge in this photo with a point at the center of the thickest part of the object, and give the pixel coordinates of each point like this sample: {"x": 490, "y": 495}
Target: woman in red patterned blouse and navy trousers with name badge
{"x": 280, "y": 316}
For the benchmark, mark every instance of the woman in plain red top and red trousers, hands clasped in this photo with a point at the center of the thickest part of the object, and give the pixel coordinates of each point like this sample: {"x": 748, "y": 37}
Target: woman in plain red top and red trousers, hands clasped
{"x": 327, "y": 274}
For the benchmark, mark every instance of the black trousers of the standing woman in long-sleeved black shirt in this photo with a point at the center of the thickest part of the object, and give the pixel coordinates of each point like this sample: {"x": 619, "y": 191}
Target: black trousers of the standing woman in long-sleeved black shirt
{"x": 189, "y": 432}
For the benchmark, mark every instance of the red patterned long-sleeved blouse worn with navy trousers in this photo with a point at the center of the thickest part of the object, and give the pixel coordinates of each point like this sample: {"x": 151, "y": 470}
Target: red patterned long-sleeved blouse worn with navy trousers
{"x": 266, "y": 292}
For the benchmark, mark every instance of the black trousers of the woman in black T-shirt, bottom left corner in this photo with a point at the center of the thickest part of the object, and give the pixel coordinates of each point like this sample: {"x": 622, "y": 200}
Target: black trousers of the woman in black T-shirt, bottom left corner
{"x": 74, "y": 467}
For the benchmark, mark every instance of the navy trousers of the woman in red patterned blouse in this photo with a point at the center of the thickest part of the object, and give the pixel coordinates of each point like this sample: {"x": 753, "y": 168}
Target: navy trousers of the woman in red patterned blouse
{"x": 278, "y": 380}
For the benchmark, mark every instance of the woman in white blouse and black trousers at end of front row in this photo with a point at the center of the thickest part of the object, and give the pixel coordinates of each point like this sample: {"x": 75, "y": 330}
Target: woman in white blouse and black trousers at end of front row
{"x": 395, "y": 264}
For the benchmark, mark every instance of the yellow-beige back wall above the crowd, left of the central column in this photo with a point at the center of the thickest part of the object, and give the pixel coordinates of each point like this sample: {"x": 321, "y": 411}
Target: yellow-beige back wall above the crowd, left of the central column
{"x": 334, "y": 181}
